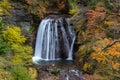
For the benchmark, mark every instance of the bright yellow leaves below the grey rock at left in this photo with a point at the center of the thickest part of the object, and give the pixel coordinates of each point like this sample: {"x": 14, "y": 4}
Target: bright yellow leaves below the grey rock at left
{"x": 12, "y": 35}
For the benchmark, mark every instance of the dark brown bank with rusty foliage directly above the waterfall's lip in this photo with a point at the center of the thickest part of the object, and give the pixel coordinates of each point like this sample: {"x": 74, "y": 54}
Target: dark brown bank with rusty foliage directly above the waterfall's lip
{"x": 43, "y": 8}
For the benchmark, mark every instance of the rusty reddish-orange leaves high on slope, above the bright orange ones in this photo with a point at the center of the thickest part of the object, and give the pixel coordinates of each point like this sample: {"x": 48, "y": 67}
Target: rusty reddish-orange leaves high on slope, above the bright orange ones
{"x": 95, "y": 19}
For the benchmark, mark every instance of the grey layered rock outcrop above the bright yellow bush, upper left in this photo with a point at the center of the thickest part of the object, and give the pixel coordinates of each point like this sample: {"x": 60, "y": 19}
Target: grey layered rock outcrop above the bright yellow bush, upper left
{"x": 19, "y": 17}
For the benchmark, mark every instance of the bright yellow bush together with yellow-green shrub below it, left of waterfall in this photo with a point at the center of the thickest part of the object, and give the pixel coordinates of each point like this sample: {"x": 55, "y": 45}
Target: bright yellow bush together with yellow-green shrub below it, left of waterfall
{"x": 22, "y": 53}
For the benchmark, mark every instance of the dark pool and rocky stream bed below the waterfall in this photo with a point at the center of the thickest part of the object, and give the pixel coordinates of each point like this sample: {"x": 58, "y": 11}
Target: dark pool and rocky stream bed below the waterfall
{"x": 59, "y": 70}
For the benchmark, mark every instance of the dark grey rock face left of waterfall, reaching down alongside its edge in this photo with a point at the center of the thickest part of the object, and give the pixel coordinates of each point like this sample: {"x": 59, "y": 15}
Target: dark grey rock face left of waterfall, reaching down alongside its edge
{"x": 21, "y": 17}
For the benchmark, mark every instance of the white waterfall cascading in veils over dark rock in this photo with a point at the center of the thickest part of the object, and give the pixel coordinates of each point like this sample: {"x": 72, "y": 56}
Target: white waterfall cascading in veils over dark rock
{"x": 55, "y": 39}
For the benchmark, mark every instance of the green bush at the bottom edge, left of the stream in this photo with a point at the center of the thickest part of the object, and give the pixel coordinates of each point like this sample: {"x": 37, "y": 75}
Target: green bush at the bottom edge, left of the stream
{"x": 20, "y": 73}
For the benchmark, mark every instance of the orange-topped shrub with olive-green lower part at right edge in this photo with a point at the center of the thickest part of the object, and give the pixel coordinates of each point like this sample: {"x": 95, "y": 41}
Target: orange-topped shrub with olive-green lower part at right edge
{"x": 107, "y": 54}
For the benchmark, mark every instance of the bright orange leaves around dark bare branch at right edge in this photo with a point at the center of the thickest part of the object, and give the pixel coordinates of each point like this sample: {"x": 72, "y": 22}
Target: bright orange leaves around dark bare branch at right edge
{"x": 109, "y": 56}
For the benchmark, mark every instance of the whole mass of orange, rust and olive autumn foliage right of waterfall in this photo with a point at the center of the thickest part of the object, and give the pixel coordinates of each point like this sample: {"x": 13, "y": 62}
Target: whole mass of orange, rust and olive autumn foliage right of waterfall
{"x": 97, "y": 35}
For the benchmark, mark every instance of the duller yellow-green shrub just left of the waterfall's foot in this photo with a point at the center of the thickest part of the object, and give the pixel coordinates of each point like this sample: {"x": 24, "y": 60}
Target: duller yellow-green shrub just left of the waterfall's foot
{"x": 22, "y": 55}
